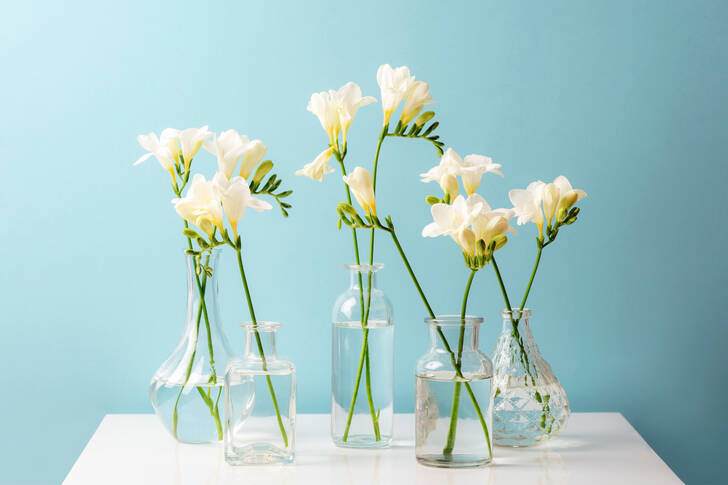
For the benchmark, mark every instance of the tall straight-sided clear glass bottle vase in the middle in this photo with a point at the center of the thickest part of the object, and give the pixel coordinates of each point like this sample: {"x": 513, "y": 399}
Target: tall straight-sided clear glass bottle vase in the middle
{"x": 362, "y": 366}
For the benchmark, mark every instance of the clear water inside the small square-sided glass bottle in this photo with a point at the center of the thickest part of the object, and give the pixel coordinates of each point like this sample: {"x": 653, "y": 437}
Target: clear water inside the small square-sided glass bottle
{"x": 252, "y": 430}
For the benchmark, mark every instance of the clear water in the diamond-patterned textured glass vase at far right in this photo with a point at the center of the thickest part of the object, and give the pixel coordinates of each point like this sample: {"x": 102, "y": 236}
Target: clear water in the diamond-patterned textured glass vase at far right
{"x": 526, "y": 415}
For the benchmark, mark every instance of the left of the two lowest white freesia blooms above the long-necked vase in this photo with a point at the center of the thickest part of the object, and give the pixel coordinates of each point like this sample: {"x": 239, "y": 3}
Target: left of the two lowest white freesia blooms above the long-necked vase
{"x": 201, "y": 206}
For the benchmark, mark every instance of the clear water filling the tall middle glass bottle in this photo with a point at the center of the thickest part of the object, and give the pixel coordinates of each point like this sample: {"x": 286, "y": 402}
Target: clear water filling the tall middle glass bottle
{"x": 347, "y": 345}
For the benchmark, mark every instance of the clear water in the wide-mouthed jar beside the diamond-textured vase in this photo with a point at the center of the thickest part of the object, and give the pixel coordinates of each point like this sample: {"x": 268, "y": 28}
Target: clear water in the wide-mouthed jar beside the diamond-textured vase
{"x": 434, "y": 398}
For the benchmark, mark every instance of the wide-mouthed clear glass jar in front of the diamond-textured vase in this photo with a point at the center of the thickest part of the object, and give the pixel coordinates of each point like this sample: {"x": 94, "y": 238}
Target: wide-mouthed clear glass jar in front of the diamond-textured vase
{"x": 453, "y": 396}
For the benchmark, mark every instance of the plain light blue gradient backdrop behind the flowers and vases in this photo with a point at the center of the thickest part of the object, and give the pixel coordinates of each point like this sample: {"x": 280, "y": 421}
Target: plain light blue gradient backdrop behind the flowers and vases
{"x": 627, "y": 98}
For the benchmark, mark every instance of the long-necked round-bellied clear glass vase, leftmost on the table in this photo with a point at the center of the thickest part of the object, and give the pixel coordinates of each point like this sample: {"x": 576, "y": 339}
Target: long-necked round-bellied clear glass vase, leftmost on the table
{"x": 186, "y": 391}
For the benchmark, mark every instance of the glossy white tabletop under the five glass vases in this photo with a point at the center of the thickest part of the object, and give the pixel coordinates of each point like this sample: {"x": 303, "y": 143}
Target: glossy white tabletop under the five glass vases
{"x": 595, "y": 448}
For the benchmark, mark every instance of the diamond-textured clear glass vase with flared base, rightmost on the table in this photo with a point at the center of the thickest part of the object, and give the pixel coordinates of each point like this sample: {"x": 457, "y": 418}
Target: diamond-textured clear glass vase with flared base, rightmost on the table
{"x": 530, "y": 405}
